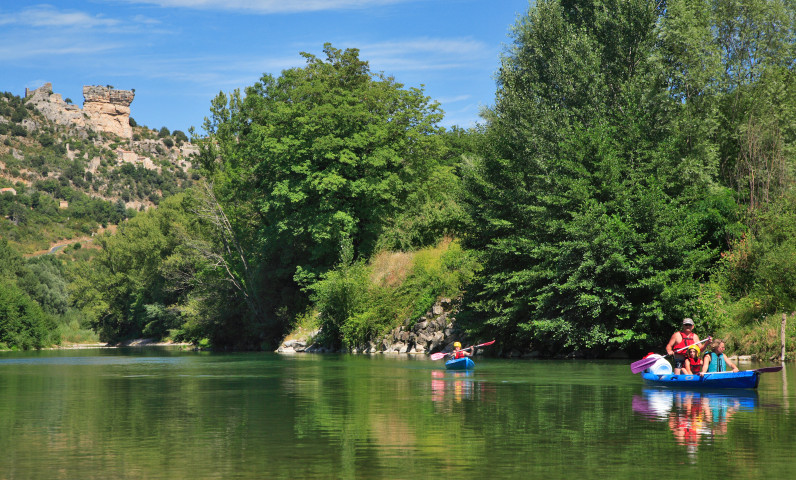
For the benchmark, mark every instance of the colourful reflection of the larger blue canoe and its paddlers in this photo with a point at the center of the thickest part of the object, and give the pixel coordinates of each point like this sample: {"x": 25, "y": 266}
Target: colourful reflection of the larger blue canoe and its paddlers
{"x": 693, "y": 417}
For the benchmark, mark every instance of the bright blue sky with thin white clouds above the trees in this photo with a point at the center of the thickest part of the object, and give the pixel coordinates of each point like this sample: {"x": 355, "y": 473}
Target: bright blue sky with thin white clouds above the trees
{"x": 179, "y": 54}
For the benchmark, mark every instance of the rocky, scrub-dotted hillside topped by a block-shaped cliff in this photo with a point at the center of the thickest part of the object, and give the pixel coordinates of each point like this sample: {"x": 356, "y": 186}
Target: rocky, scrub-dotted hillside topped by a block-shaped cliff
{"x": 66, "y": 172}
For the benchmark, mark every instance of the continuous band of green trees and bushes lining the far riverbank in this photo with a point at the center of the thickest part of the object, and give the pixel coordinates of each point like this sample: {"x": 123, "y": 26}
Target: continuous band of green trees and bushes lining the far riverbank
{"x": 637, "y": 167}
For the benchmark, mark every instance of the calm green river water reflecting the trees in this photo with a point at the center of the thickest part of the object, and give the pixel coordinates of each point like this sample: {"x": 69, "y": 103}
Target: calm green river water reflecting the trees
{"x": 148, "y": 413}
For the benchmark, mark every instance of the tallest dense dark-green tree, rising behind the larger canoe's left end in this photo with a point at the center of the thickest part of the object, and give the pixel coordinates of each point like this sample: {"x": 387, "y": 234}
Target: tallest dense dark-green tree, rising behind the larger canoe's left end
{"x": 581, "y": 205}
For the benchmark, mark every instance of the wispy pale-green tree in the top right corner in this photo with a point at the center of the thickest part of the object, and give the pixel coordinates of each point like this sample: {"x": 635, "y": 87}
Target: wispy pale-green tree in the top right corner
{"x": 756, "y": 45}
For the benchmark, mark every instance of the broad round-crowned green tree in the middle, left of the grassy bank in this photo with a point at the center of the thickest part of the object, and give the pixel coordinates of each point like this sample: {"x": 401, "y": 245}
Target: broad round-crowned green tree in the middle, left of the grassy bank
{"x": 320, "y": 155}
